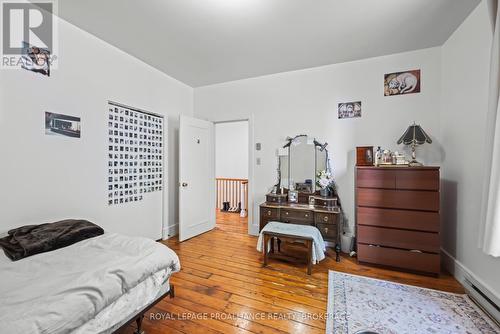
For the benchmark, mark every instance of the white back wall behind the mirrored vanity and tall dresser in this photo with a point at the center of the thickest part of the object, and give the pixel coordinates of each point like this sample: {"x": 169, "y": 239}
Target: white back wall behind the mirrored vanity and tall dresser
{"x": 306, "y": 101}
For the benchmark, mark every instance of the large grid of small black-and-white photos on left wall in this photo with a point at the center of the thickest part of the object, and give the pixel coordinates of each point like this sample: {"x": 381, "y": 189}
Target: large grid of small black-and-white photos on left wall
{"x": 135, "y": 154}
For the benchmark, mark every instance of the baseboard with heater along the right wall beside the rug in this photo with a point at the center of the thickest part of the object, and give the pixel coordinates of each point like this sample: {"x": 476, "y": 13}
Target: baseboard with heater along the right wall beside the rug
{"x": 481, "y": 292}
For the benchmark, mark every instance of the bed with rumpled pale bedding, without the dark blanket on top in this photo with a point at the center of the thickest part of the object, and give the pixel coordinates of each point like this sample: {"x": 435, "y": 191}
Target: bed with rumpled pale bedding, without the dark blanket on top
{"x": 97, "y": 285}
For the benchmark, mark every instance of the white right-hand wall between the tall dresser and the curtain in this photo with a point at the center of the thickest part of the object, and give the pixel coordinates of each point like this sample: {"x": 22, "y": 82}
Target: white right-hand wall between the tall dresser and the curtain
{"x": 465, "y": 73}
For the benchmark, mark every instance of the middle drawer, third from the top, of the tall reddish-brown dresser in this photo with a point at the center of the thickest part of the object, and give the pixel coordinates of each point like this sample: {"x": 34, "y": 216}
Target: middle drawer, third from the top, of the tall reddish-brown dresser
{"x": 403, "y": 219}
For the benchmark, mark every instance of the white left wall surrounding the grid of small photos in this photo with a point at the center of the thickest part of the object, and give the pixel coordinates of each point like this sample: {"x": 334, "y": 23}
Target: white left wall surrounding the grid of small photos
{"x": 46, "y": 178}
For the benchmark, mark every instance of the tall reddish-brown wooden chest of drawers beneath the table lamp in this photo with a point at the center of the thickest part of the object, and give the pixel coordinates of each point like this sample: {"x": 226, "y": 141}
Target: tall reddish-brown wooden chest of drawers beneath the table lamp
{"x": 397, "y": 216}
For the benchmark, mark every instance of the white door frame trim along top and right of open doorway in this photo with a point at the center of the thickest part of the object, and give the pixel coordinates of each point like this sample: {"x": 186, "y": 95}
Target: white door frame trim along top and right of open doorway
{"x": 253, "y": 229}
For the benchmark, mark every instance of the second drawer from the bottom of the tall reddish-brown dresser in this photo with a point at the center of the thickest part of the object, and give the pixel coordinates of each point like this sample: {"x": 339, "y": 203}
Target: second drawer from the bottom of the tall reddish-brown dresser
{"x": 411, "y": 240}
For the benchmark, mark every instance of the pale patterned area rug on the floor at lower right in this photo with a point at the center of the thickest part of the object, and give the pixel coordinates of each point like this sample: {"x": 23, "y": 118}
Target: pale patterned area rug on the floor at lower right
{"x": 357, "y": 304}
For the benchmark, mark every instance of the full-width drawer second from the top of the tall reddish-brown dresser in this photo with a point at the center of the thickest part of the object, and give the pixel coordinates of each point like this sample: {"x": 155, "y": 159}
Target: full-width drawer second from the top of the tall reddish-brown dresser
{"x": 398, "y": 199}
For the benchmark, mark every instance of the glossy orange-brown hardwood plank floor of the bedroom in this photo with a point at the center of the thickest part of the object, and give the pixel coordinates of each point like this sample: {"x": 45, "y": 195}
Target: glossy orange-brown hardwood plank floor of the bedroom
{"x": 222, "y": 277}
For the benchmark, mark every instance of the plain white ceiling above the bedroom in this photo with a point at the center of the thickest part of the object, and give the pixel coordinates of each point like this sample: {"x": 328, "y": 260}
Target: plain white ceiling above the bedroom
{"x": 203, "y": 42}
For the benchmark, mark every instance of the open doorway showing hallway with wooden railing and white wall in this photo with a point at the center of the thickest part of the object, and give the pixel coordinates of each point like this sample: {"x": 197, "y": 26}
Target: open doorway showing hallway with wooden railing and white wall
{"x": 231, "y": 171}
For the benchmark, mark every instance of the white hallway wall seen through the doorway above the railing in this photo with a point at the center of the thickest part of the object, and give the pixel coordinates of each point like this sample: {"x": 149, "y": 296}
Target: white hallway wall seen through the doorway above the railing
{"x": 231, "y": 150}
